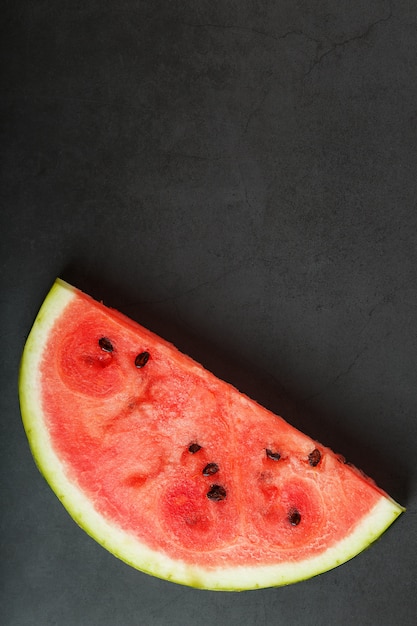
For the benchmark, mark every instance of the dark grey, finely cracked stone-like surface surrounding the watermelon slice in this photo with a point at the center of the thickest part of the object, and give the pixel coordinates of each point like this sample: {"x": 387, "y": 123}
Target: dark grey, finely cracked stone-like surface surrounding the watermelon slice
{"x": 241, "y": 178}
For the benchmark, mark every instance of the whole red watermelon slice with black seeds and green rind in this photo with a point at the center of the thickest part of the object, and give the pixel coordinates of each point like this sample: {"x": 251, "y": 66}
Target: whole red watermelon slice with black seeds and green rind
{"x": 173, "y": 470}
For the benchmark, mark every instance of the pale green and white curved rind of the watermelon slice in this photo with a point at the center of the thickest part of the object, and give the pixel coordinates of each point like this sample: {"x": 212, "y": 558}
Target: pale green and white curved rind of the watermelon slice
{"x": 127, "y": 547}
